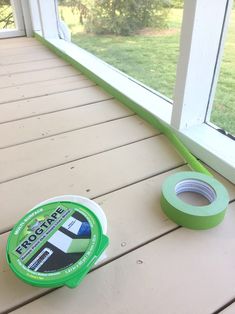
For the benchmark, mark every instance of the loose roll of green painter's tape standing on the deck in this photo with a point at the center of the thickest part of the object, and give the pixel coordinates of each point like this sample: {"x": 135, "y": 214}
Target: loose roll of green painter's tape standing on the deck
{"x": 190, "y": 216}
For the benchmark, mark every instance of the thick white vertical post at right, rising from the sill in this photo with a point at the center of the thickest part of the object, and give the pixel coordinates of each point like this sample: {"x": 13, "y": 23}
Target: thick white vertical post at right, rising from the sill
{"x": 202, "y": 26}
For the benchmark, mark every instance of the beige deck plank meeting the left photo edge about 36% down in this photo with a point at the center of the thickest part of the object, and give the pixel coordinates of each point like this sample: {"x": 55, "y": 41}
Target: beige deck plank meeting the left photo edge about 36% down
{"x": 51, "y": 103}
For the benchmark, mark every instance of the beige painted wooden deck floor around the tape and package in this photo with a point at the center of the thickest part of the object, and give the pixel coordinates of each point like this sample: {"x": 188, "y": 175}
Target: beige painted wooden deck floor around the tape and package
{"x": 62, "y": 134}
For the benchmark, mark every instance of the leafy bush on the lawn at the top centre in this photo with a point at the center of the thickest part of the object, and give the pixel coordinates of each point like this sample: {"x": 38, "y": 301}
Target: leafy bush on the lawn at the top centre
{"x": 124, "y": 17}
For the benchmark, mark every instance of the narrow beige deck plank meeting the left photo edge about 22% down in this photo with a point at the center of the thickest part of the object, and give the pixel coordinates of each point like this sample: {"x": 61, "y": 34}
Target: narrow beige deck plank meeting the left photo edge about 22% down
{"x": 31, "y": 66}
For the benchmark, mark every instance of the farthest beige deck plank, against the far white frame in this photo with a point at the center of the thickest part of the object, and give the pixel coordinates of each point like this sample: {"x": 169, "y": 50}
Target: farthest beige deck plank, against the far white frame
{"x": 18, "y": 42}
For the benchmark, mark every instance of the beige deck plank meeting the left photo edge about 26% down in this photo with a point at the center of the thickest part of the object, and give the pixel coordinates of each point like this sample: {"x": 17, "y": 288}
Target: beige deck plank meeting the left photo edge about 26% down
{"x": 37, "y": 76}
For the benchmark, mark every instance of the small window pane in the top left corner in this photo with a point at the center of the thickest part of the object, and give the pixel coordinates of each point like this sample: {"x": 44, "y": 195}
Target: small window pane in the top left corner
{"x": 6, "y": 15}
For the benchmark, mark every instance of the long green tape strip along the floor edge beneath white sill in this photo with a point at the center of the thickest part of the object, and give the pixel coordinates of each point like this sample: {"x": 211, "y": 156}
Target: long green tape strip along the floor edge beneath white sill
{"x": 140, "y": 111}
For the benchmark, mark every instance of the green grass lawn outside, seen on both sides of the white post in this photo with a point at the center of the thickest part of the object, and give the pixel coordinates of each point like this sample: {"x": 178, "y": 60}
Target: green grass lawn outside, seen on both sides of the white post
{"x": 151, "y": 57}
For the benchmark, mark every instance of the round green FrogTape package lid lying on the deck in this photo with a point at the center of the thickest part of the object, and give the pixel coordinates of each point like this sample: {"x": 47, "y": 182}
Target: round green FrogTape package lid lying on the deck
{"x": 56, "y": 244}
